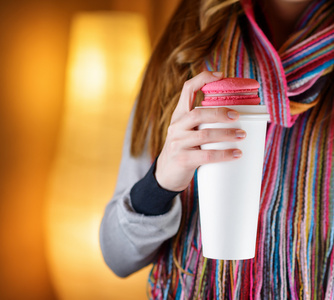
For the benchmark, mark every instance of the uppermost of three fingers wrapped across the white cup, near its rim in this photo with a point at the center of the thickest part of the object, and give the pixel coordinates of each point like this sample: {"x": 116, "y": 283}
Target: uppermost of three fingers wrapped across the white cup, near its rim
{"x": 207, "y": 115}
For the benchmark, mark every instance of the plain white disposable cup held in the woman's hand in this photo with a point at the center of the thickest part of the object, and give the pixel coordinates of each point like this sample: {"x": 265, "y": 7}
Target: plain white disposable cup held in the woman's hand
{"x": 229, "y": 192}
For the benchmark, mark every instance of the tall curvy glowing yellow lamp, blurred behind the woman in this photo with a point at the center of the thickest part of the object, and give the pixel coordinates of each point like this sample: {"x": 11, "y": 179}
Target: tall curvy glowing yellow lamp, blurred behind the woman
{"x": 108, "y": 52}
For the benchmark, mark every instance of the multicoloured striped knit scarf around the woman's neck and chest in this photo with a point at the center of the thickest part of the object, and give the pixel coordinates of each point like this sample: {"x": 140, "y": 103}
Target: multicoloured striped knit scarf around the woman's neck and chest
{"x": 295, "y": 242}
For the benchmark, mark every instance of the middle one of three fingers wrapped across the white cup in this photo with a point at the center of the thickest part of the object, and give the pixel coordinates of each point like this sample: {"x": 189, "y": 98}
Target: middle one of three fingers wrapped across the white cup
{"x": 205, "y": 136}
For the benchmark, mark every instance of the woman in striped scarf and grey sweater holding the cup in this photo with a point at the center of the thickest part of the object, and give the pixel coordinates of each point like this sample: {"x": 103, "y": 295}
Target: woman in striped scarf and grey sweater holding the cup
{"x": 288, "y": 46}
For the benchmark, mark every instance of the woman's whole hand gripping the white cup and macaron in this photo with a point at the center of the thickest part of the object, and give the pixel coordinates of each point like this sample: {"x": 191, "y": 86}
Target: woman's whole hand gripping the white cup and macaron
{"x": 181, "y": 154}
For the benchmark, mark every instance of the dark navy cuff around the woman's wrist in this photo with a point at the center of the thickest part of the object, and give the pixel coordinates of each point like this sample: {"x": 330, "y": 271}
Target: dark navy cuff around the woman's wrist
{"x": 150, "y": 199}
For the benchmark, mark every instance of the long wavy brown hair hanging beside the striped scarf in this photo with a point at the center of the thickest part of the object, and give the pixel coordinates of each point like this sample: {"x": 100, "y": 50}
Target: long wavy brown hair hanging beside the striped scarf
{"x": 190, "y": 36}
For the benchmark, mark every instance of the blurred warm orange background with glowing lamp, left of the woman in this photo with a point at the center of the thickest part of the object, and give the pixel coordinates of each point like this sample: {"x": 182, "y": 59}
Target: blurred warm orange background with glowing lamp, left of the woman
{"x": 70, "y": 71}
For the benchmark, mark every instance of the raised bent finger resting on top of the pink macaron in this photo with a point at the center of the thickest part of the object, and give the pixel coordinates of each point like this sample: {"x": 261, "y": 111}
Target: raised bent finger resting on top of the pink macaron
{"x": 190, "y": 88}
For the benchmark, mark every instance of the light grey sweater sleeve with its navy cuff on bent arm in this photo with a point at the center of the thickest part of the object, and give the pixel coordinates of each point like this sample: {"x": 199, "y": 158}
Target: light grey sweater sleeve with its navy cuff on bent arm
{"x": 130, "y": 238}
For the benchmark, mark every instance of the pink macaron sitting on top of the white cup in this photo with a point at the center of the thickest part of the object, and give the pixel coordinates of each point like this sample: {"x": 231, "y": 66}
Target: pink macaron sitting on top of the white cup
{"x": 231, "y": 91}
